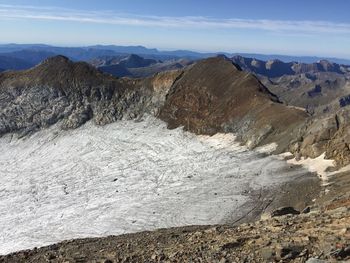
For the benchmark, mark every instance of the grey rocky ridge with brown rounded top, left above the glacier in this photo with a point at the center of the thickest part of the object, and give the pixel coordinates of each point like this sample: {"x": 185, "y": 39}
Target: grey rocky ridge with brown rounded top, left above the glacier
{"x": 58, "y": 89}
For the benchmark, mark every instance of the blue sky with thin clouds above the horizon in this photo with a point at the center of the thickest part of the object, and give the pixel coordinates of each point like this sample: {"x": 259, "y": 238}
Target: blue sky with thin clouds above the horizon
{"x": 290, "y": 27}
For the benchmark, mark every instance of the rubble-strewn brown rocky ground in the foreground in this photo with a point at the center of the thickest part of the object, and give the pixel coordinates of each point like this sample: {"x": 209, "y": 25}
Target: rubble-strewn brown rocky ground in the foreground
{"x": 320, "y": 233}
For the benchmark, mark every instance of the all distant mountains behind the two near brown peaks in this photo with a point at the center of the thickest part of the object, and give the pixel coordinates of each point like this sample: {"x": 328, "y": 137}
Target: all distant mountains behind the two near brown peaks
{"x": 321, "y": 86}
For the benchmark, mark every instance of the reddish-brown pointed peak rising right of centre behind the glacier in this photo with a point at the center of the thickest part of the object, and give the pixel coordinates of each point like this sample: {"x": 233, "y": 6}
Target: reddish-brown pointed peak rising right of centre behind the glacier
{"x": 216, "y": 96}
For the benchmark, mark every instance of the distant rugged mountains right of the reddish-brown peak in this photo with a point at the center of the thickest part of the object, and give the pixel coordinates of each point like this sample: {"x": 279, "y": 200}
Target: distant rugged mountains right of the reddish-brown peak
{"x": 319, "y": 87}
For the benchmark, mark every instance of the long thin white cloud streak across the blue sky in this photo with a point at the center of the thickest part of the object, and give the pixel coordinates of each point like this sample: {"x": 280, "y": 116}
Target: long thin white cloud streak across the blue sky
{"x": 107, "y": 17}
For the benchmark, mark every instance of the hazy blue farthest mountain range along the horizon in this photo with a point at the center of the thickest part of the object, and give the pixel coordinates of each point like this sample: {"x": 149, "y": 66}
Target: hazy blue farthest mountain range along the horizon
{"x": 91, "y": 52}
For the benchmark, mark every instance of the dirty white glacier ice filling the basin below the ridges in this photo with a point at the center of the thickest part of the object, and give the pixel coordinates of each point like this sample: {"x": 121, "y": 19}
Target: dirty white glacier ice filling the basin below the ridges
{"x": 124, "y": 177}
